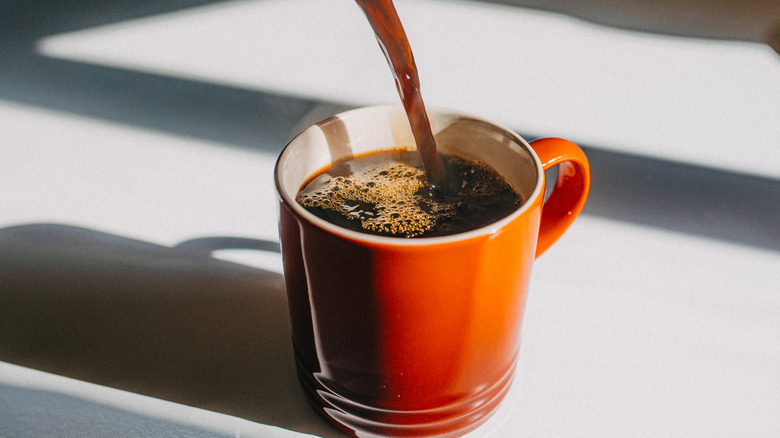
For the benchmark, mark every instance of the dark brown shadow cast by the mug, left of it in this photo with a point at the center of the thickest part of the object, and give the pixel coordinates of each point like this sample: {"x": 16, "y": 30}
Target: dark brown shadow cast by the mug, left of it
{"x": 171, "y": 323}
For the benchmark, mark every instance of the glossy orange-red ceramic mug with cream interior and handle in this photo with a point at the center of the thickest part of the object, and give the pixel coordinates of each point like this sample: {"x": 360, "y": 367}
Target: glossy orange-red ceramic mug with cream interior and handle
{"x": 420, "y": 336}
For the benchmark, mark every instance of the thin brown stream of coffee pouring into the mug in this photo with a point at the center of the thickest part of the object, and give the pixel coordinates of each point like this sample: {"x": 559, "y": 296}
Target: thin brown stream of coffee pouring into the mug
{"x": 391, "y": 36}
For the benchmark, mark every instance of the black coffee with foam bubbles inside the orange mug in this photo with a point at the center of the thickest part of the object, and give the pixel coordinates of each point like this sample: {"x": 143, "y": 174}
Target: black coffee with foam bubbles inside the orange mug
{"x": 385, "y": 193}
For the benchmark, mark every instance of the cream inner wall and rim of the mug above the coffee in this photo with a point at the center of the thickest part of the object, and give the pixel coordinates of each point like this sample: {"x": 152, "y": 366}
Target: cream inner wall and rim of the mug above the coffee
{"x": 374, "y": 128}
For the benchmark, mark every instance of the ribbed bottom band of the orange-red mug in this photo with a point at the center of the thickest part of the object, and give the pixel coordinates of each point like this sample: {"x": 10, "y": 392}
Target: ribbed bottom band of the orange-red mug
{"x": 359, "y": 420}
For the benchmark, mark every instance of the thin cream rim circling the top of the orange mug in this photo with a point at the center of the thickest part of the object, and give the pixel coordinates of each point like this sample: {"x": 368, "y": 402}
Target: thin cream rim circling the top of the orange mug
{"x": 380, "y": 240}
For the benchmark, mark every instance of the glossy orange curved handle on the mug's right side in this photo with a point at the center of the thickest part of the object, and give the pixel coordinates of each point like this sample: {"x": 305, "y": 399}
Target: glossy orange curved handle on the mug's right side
{"x": 571, "y": 187}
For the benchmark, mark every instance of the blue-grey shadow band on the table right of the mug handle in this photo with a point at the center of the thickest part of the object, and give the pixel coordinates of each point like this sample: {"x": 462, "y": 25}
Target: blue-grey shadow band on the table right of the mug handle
{"x": 683, "y": 198}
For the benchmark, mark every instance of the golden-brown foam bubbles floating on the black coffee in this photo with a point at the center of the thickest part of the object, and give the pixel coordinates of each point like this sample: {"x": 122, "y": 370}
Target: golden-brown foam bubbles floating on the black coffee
{"x": 383, "y": 198}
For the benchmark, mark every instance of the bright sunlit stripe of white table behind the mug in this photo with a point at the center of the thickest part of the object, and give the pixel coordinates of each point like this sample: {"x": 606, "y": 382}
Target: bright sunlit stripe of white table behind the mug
{"x": 682, "y": 99}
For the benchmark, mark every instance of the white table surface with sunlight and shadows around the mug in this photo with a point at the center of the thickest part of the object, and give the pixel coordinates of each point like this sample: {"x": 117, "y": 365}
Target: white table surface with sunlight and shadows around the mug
{"x": 655, "y": 315}
